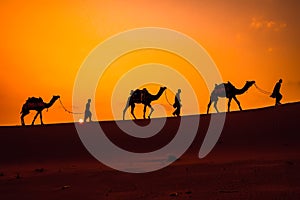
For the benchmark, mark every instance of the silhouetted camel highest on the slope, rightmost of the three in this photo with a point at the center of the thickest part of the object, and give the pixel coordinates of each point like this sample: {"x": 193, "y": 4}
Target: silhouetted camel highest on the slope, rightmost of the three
{"x": 229, "y": 91}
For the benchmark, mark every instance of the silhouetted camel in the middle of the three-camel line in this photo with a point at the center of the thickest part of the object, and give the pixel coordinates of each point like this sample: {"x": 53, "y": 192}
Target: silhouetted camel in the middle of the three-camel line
{"x": 144, "y": 97}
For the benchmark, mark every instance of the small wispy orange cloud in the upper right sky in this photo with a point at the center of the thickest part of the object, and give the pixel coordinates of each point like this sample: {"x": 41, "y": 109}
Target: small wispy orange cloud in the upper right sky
{"x": 263, "y": 24}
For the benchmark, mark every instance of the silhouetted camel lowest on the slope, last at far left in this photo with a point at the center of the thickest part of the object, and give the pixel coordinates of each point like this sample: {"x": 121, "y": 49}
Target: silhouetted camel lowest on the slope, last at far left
{"x": 37, "y": 104}
